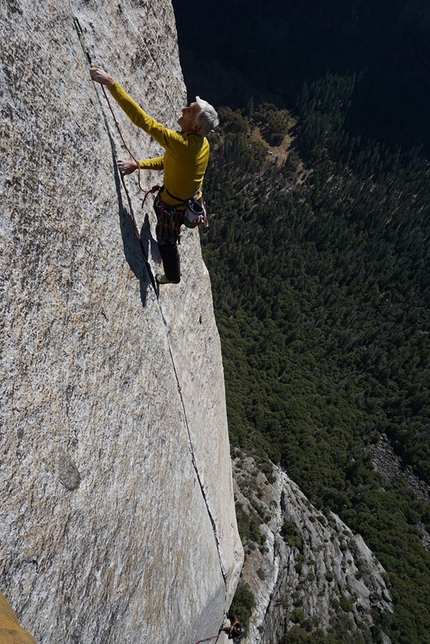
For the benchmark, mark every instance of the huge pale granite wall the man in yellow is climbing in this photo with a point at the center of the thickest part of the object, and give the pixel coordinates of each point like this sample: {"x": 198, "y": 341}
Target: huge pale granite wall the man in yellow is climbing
{"x": 117, "y": 518}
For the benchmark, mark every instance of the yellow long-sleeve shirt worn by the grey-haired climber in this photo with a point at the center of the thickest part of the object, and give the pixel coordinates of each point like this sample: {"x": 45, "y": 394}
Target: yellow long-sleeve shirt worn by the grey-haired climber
{"x": 186, "y": 155}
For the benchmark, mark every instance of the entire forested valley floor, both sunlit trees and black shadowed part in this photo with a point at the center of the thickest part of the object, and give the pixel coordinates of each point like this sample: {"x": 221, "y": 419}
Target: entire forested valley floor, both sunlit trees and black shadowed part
{"x": 319, "y": 255}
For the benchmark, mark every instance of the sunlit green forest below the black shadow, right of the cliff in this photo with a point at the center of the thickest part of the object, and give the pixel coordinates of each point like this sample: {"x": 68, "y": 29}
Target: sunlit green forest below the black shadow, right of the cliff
{"x": 320, "y": 273}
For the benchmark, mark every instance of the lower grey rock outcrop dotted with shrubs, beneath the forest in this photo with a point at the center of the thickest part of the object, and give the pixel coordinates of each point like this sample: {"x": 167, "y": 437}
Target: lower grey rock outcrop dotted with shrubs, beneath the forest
{"x": 311, "y": 570}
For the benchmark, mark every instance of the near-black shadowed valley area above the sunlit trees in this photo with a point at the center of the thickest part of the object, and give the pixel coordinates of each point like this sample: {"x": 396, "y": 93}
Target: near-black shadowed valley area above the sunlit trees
{"x": 266, "y": 49}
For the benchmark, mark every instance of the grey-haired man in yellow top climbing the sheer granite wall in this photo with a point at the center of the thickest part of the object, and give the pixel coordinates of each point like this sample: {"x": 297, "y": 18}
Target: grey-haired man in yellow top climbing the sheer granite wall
{"x": 184, "y": 164}
